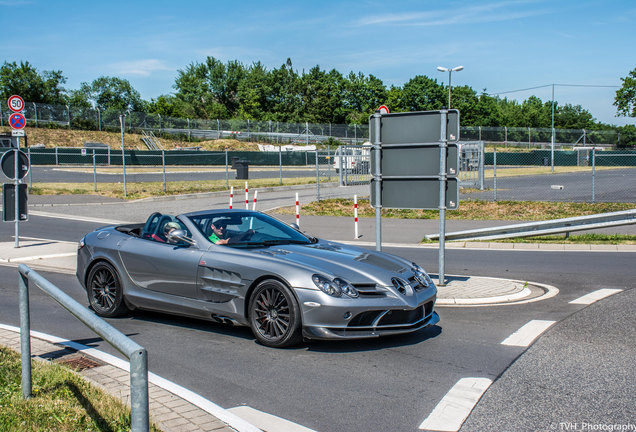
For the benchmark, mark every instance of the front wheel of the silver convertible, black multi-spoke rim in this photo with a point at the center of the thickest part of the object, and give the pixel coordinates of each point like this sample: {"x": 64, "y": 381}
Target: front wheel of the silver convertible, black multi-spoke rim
{"x": 274, "y": 315}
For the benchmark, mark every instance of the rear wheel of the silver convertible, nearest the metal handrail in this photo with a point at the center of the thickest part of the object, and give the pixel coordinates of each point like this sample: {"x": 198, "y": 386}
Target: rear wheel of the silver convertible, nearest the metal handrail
{"x": 104, "y": 290}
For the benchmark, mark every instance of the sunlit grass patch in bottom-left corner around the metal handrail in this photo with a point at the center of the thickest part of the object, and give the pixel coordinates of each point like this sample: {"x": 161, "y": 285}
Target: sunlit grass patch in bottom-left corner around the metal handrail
{"x": 62, "y": 401}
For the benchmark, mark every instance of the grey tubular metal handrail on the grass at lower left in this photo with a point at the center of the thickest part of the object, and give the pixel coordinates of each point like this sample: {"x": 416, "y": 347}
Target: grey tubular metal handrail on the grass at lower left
{"x": 138, "y": 356}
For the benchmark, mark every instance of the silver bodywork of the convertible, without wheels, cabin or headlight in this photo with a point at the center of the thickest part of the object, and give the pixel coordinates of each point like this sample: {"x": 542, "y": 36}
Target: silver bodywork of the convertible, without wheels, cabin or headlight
{"x": 213, "y": 282}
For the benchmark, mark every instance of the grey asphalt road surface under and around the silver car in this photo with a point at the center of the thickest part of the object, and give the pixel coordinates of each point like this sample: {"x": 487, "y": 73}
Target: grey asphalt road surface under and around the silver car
{"x": 390, "y": 383}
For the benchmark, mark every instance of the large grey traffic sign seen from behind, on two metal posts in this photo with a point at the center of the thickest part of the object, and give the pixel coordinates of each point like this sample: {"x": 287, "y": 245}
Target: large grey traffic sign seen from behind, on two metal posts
{"x": 414, "y": 165}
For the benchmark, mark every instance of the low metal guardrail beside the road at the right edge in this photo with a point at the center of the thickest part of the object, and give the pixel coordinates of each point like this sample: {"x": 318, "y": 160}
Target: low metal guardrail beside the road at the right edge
{"x": 556, "y": 226}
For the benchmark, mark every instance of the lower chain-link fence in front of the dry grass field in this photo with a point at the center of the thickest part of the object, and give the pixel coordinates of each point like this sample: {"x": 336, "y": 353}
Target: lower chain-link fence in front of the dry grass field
{"x": 587, "y": 174}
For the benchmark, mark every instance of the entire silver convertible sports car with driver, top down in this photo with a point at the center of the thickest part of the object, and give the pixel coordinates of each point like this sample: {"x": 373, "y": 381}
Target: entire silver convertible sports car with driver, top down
{"x": 248, "y": 268}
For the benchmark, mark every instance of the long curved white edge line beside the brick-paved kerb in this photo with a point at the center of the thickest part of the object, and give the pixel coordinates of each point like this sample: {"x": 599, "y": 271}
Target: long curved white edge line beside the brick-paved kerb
{"x": 222, "y": 414}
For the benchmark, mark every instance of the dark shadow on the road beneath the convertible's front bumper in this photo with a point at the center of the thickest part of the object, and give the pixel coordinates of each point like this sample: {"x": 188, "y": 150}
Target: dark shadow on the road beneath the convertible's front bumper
{"x": 374, "y": 344}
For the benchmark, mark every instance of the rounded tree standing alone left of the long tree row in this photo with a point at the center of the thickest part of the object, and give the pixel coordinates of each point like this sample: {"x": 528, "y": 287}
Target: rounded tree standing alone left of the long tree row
{"x": 113, "y": 94}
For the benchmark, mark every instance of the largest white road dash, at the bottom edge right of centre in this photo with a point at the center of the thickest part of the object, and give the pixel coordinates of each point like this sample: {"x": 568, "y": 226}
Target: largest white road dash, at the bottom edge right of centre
{"x": 451, "y": 412}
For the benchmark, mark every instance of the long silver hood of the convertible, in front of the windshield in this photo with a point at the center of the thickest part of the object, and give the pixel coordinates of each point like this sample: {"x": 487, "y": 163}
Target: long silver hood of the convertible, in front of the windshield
{"x": 352, "y": 263}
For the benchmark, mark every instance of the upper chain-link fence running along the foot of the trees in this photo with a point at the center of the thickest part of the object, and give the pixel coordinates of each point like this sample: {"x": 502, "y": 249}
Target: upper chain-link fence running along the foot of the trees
{"x": 65, "y": 116}
